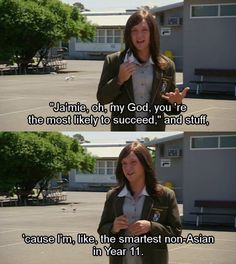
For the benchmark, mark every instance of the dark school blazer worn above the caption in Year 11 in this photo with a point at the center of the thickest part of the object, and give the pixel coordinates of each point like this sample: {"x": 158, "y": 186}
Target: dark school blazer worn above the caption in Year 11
{"x": 161, "y": 210}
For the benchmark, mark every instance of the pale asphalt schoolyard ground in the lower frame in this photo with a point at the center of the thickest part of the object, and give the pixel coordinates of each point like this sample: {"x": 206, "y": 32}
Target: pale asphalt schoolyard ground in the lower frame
{"x": 80, "y": 215}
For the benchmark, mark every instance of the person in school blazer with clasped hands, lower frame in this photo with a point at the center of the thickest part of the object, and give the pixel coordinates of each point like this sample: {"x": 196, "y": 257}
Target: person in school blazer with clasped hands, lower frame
{"x": 141, "y": 209}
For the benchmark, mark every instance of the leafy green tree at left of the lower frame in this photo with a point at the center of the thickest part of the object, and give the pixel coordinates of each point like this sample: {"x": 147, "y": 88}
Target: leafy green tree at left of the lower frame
{"x": 30, "y": 158}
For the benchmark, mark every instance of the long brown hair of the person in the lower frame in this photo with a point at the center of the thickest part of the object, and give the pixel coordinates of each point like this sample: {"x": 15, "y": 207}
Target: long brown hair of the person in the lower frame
{"x": 145, "y": 159}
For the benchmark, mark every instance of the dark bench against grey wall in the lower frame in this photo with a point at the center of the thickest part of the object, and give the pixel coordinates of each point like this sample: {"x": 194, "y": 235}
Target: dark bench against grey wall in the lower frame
{"x": 203, "y": 204}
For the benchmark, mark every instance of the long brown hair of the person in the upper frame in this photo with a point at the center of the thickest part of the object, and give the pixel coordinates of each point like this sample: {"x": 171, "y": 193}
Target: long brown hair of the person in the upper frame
{"x": 134, "y": 20}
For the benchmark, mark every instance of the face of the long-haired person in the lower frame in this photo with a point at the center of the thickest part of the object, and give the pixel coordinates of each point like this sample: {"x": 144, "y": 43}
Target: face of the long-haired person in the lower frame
{"x": 133, "y": 169}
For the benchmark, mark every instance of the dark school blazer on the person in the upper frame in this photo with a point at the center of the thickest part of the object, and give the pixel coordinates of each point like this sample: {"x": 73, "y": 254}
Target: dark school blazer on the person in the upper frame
{"x": 111, "y": 92}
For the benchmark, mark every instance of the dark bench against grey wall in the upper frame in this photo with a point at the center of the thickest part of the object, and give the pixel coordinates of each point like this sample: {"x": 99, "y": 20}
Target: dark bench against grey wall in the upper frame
{"x": 204, "y": 73}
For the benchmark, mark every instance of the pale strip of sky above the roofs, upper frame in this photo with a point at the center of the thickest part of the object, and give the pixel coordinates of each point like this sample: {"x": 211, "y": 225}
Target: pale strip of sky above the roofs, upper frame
{"x": 110, "y": 5}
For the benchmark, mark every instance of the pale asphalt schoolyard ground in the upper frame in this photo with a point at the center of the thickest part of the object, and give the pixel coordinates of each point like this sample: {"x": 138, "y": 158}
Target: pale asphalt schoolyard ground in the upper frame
{"x": 29, "y": 96}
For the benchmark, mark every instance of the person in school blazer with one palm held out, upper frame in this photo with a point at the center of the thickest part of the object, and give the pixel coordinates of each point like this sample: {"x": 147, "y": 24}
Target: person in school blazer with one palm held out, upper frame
{"x": 139, "y": 75}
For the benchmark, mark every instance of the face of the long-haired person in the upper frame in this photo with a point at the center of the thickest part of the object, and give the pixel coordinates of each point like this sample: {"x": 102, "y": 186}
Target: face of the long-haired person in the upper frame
{"x": 140, "y": 36}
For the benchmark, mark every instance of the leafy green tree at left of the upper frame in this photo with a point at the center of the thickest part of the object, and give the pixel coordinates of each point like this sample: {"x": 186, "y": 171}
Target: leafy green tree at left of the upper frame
{"x": 29, "y": 26}
